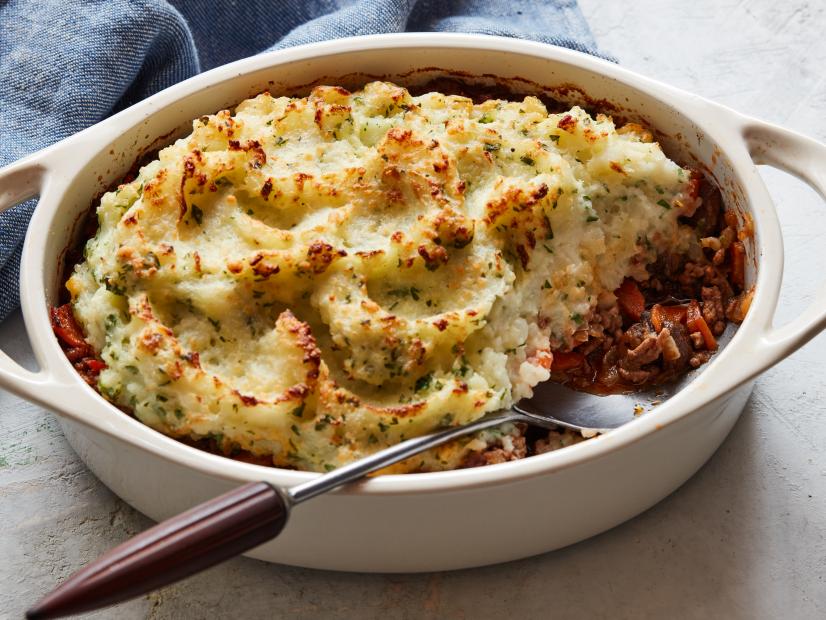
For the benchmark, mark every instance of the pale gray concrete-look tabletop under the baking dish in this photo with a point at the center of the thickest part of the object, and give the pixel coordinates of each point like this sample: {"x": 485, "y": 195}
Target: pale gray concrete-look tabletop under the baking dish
{"x": 745, "y": 538}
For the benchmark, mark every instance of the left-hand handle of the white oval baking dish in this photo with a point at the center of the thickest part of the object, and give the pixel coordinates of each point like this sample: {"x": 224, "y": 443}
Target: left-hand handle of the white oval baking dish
{"x": 19, "y": 182}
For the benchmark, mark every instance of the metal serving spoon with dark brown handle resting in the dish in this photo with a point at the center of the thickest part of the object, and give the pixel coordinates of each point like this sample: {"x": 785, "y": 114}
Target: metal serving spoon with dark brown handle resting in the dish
{"x": 246, "y": 517}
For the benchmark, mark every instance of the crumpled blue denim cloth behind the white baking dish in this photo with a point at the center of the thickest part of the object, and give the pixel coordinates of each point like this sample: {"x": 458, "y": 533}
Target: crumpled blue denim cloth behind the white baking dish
{"x": 67, "y": 64}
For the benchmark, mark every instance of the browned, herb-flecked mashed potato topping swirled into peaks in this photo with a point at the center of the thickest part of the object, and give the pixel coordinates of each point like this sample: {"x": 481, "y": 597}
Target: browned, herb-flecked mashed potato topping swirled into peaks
{"x": 309, "y": 280}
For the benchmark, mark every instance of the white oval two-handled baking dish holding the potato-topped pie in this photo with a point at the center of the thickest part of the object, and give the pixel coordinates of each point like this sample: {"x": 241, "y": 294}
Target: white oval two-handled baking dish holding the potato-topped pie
{"x": 435, "y": 521}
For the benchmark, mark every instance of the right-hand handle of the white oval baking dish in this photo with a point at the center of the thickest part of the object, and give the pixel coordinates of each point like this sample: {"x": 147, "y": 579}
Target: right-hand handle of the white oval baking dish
{"x": 804, "y": 158}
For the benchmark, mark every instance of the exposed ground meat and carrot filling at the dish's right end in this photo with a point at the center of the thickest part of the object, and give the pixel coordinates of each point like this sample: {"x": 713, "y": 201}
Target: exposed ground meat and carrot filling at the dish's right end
{"x": 664, "y": 326}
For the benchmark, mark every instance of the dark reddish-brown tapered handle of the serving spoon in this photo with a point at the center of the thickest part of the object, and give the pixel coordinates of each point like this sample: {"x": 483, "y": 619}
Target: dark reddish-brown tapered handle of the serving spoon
{"x": 192, "y": 541}
